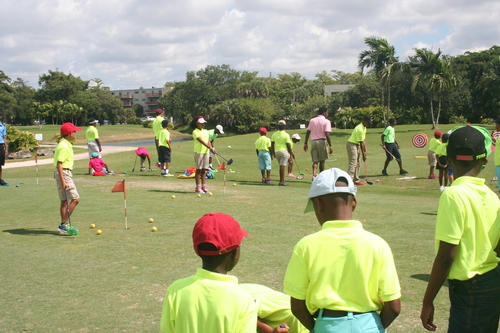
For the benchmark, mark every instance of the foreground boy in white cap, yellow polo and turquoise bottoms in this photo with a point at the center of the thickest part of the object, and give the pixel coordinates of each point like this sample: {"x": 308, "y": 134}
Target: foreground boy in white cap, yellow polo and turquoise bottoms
{"x": 341, "y": 276}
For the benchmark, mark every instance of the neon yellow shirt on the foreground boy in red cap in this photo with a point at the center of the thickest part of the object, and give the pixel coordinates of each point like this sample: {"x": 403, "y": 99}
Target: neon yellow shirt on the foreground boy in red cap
{"x": 208, "y": 302}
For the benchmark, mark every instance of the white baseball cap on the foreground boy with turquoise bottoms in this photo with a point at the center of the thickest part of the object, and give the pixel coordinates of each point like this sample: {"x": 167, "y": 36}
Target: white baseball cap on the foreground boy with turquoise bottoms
{"x": 325, "y": 184}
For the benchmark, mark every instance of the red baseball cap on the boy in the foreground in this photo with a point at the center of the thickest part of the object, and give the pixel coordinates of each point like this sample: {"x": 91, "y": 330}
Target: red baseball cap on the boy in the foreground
{"x": 220, "y": 230}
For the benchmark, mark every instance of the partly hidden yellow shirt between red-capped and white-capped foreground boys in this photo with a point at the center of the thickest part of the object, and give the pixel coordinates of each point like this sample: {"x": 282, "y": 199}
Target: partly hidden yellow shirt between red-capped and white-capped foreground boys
{"x": 273, "y": 307}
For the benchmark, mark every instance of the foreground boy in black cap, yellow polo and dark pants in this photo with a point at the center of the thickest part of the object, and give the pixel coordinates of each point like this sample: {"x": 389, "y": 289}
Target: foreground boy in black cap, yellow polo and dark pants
{"x": 467, "y": 240}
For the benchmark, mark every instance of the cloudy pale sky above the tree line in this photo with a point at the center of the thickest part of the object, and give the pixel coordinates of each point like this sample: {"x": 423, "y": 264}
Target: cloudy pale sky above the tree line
{"x": 131, "y": 43}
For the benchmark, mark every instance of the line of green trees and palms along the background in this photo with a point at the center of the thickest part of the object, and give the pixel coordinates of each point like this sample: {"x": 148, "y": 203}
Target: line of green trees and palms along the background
{"x": 428, "y": 87}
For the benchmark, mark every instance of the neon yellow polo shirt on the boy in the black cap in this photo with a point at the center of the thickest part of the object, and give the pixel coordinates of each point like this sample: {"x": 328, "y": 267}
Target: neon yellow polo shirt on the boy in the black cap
{"x": 468, "y": 217}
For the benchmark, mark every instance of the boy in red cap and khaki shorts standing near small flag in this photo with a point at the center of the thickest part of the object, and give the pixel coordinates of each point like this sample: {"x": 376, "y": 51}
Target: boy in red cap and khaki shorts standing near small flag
{"x": 63, "y": 161}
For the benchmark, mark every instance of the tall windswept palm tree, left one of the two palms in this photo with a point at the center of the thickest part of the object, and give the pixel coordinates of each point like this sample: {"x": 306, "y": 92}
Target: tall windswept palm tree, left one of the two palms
{"x": 381, "y": 56}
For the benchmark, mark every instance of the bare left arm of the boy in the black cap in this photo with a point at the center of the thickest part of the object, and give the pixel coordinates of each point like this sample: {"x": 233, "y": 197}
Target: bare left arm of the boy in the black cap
{"x": 440, "y": 269}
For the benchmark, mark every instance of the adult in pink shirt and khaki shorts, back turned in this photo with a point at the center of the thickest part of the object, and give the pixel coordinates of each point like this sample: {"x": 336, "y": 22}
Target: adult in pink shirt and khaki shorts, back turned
{"x": 319, "y": 129}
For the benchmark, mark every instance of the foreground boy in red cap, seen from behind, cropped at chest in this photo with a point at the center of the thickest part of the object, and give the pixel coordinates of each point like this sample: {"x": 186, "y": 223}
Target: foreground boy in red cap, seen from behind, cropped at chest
{"x": 211, "y": 300}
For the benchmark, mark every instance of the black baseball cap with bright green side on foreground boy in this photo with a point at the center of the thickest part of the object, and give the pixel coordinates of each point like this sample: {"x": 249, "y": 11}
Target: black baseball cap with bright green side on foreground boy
{"x": 469, "y": 143}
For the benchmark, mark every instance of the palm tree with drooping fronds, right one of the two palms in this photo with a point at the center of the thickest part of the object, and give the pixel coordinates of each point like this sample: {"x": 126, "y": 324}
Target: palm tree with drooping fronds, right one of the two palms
{"x": 435, "y": 74}
